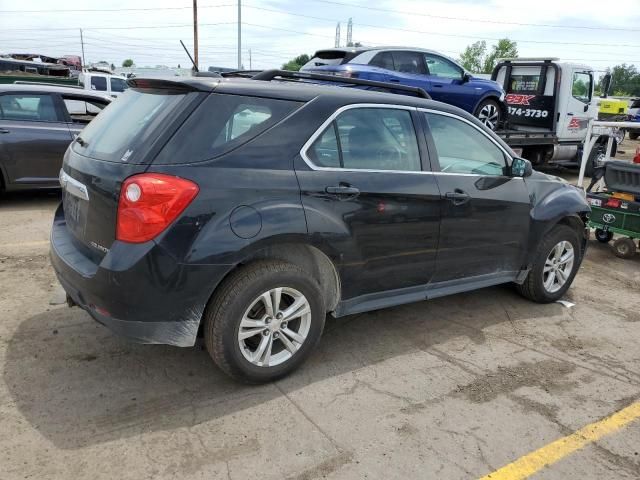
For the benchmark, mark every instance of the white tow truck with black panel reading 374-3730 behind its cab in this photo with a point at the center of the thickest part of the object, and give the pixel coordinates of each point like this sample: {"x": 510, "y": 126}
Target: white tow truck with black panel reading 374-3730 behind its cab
{"x": 549, "y": 106}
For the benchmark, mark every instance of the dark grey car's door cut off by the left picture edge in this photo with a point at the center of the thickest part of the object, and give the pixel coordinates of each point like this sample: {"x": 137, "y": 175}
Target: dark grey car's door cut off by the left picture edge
{"x": 34, "y": 138}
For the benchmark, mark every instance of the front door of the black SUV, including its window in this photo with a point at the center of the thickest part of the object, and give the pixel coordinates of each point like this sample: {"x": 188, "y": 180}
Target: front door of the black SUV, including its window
{"x": 485, "y": 211}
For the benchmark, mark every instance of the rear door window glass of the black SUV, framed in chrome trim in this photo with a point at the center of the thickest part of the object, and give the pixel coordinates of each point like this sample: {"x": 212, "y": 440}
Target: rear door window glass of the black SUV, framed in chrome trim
{"x": 369, "y": 139}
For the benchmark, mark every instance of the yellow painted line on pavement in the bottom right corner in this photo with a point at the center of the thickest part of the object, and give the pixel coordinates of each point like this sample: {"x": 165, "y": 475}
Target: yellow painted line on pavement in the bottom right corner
{"x": 535, "y": 461}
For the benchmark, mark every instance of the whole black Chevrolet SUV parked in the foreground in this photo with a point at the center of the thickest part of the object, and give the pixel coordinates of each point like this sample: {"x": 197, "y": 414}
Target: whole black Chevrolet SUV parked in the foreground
{"x": 252, "y": 208}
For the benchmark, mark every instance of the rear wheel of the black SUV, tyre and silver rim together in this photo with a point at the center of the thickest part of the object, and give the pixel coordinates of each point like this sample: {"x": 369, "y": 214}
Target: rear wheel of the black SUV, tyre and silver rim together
{"x": 264, "y": 321}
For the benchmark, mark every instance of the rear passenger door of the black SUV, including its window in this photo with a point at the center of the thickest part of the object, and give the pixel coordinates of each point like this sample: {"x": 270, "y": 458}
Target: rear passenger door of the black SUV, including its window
{"x": 366, "y": 196}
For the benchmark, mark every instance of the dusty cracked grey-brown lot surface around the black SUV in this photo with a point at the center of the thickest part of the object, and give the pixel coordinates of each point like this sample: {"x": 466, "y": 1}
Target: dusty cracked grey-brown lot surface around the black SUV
{"x": 452, "y": 388}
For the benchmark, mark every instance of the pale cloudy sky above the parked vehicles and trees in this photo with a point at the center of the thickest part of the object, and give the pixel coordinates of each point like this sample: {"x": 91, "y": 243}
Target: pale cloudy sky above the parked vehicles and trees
{"x": 275, "y": 31}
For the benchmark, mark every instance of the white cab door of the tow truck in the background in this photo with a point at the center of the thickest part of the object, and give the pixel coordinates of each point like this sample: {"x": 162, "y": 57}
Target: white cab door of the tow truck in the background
{"x": 574, "y": 119}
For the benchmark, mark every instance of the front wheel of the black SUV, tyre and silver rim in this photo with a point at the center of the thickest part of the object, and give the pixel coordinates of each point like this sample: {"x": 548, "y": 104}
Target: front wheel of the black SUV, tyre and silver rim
{"x": 555, "y": 265}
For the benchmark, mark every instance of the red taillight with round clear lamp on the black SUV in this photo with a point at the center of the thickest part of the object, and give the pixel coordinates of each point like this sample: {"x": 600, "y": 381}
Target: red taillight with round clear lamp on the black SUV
{"x": 149, "y": 202}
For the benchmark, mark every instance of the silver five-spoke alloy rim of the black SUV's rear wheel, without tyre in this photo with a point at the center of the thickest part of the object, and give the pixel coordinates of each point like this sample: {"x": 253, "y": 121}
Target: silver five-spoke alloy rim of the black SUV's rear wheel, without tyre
{"x": 274, "y": 327}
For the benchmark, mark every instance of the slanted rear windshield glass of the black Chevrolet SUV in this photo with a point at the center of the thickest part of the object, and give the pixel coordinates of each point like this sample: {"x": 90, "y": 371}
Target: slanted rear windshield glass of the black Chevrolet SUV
{"x": 124, "y": 130}
